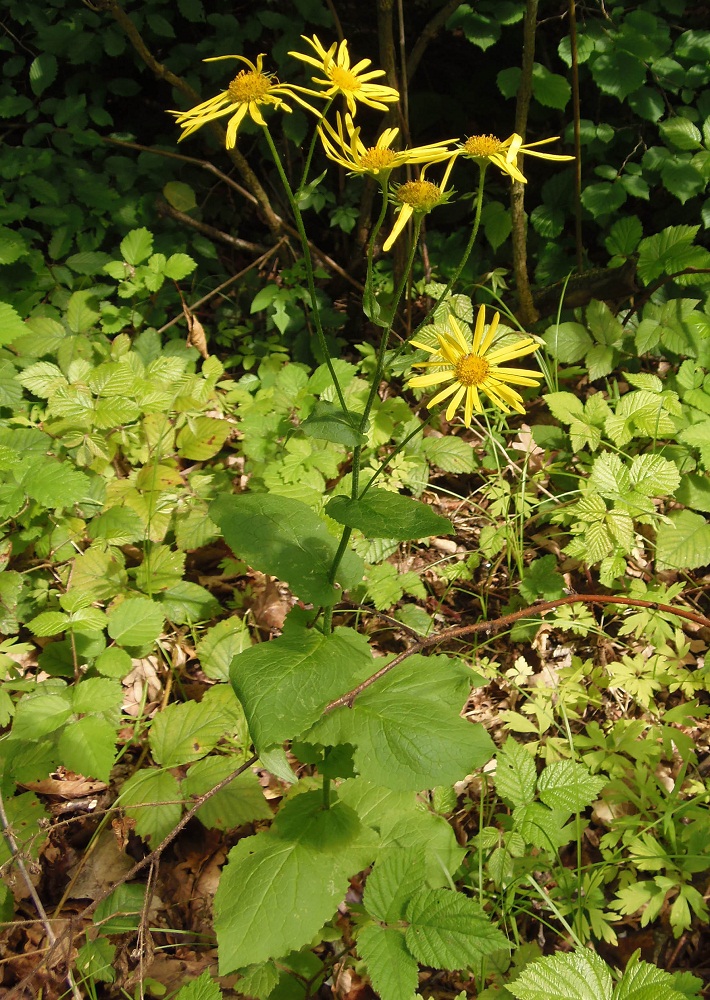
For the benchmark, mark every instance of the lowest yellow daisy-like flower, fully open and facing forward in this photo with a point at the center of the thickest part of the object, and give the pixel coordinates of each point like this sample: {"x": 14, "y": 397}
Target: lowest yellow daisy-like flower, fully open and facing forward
{"x": 473, "y": 368}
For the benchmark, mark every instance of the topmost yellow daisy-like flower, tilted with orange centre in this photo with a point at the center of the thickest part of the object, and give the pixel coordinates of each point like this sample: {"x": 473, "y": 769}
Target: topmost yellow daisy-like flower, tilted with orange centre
{"x": 342, "y": 78}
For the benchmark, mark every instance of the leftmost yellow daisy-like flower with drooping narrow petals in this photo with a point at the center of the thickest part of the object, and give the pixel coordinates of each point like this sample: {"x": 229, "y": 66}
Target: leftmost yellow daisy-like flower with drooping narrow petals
{"x": 250, "y": 91}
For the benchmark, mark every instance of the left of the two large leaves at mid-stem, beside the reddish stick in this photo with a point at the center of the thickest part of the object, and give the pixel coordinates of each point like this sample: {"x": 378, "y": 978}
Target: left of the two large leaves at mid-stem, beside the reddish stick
{"x": 285, "y": 684}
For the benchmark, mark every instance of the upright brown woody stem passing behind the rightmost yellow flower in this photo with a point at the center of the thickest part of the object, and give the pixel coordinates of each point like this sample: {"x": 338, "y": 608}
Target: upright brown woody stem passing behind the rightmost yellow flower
{"x": 527, "y": 313}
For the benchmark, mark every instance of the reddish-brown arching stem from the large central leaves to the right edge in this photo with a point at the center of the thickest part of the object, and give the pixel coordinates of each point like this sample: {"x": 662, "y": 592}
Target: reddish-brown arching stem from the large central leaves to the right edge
{"x": 496, "y": 624}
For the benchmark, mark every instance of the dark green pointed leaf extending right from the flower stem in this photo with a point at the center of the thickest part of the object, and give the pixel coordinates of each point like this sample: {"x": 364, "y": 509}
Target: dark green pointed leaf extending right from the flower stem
{"x": 383, "y": 514}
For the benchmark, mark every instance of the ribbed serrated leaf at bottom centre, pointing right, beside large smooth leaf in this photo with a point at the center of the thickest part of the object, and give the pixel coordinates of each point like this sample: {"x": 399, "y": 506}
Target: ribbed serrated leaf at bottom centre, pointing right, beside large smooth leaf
{"x": 448, "y": 930}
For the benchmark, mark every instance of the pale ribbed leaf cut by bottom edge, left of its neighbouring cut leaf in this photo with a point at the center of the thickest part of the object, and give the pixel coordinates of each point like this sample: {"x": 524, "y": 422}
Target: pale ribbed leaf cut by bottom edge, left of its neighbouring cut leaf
{"x": 578, "y": 976}
